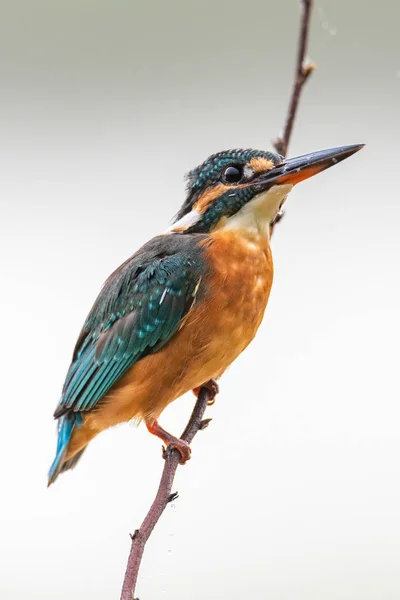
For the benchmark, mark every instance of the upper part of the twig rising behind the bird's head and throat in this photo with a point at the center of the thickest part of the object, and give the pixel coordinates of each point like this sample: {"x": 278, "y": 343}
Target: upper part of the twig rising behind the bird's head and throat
{"x": 304, "y": 68}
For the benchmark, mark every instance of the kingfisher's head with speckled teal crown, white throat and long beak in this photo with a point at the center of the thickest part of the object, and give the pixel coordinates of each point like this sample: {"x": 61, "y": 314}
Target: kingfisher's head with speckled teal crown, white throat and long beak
{"x": 250, "y": 184}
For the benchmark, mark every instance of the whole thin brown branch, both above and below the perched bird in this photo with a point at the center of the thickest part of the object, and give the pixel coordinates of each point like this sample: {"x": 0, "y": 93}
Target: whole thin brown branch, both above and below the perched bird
{"x": 196, "y": 422}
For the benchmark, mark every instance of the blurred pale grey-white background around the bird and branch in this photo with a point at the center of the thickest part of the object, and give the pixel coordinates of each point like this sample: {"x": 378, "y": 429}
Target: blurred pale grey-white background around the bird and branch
{"x": 293, "y": 492}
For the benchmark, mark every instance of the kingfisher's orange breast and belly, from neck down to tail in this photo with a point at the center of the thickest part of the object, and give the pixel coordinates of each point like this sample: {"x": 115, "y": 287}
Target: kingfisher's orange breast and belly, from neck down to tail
{"x": 224, "y": 319}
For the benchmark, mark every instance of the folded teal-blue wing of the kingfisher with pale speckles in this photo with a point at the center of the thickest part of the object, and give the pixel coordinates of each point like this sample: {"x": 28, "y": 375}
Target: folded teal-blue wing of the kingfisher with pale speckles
{"x": 138, "y": 310}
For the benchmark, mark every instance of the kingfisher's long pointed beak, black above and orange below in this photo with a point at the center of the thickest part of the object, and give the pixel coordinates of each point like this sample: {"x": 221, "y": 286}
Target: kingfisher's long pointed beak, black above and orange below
{"x": 294, "y": 170}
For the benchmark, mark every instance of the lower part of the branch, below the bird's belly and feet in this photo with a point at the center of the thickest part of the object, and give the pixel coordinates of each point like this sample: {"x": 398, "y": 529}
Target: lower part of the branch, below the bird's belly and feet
{"x": 163, "y": 496}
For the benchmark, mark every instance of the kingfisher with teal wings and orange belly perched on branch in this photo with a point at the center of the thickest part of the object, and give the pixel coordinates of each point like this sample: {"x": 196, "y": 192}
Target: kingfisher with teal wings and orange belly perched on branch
{"x": 179, "y": 311}
